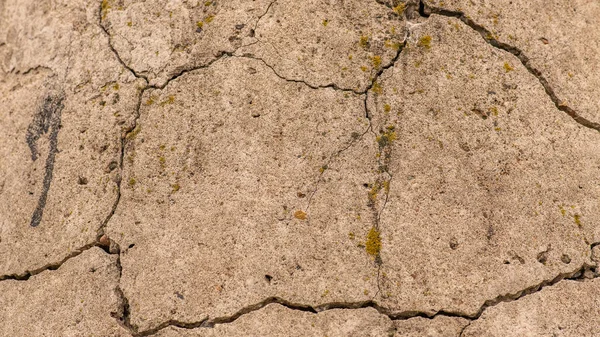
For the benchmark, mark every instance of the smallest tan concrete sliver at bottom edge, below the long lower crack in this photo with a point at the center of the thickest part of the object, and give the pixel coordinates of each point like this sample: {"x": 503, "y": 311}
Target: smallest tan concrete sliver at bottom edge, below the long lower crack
{"x": 439, "y": 326}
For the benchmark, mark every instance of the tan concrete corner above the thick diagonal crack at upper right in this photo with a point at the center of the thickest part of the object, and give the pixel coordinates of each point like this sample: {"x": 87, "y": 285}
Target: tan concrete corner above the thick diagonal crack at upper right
{"x": 560, "y": 38}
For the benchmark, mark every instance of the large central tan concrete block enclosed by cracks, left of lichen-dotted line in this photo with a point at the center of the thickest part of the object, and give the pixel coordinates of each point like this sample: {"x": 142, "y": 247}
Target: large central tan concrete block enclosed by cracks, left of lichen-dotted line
{"x": 218, "y": 206}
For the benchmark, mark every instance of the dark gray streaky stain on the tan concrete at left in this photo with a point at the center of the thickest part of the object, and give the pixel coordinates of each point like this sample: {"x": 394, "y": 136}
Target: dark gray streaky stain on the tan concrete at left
{"x": 46, "y": 120}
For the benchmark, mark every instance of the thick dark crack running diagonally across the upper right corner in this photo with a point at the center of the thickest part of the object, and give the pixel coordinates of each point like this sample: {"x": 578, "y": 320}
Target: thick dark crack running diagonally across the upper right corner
{"x": 425, "y": 10}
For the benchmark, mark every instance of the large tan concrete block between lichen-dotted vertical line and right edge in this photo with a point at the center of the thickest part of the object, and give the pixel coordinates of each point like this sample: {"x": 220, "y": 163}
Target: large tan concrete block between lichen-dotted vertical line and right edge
{"x": 493, "y": 191}
